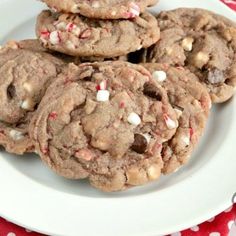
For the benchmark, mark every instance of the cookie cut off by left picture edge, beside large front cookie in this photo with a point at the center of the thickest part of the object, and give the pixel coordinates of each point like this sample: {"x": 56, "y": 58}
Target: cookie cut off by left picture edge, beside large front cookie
{"x": 24, "y": 77}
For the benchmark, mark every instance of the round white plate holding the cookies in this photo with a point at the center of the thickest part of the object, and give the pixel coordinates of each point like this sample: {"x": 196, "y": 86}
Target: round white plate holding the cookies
{"x": 33, "y": 196}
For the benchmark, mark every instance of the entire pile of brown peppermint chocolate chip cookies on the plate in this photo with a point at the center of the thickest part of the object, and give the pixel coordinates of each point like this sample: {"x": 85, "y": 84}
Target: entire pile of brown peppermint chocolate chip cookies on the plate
{"x": 116, "y": 123}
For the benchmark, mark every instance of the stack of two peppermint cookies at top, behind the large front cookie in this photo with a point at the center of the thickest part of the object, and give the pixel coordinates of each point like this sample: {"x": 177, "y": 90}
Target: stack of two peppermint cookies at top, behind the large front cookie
{"x": 97, "y": 30}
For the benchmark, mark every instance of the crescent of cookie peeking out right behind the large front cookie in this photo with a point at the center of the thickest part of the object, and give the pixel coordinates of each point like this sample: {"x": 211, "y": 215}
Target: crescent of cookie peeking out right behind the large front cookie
{"x": 191, "y": 102}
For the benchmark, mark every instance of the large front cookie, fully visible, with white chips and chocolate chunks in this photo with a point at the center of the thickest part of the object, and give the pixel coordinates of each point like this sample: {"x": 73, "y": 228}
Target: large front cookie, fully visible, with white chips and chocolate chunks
{"x": 106, "y": 122}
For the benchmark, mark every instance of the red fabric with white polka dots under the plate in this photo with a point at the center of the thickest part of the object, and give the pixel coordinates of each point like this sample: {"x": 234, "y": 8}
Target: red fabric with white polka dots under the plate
{"x": 216, "y": 226}
